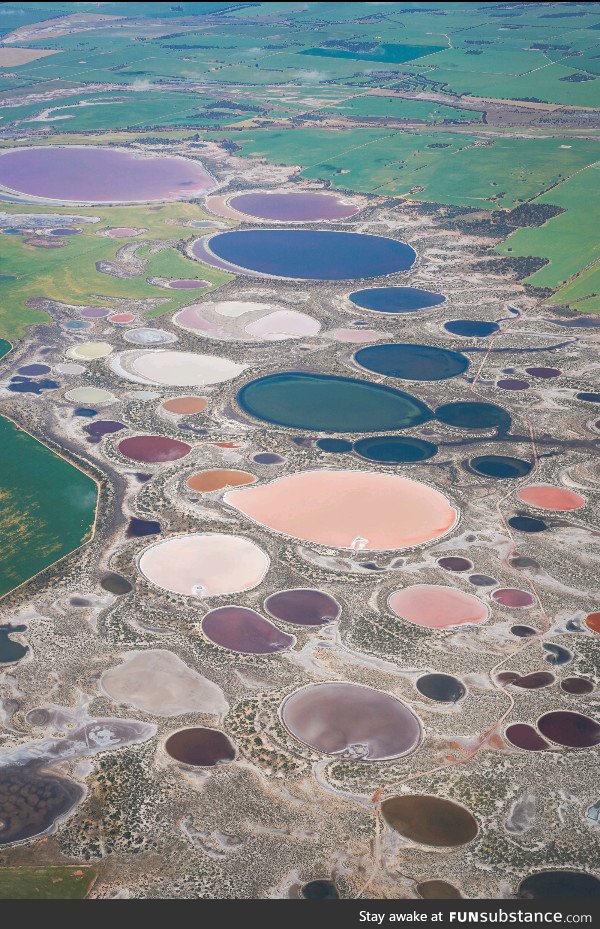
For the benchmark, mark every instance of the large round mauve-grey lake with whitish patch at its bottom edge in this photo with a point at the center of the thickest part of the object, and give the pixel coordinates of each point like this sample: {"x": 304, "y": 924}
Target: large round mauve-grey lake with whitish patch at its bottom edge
{"x": 351, "y": 720}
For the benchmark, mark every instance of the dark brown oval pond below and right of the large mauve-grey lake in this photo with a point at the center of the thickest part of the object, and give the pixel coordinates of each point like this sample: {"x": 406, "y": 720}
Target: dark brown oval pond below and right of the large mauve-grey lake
{"x": 430, "y": 820}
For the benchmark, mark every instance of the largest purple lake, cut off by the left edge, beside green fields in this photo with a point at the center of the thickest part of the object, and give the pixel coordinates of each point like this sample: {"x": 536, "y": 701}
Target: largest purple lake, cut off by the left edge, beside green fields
{"x": 101, "y": 175}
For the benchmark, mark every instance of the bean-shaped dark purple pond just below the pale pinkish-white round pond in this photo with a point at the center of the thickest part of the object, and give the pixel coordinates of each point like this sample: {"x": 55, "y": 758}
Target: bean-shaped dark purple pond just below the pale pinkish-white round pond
{"x": 244, "y": 630}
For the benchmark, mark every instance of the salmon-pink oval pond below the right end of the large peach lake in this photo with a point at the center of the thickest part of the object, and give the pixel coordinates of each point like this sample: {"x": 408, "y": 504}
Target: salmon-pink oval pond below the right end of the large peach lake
{"x": 437, "y": 607}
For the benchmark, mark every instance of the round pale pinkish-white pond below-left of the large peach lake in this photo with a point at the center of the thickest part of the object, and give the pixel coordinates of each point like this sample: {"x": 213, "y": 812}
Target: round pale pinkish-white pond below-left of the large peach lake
{"x": 204, "y": 564}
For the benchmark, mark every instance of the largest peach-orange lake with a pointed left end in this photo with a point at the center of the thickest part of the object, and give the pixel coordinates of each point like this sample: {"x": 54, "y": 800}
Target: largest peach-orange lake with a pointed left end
{"x": 359, "y": 510}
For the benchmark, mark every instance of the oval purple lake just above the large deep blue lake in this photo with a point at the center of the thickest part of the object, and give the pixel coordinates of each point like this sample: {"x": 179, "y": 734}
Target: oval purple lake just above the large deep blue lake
{"x": 293, "y": 206}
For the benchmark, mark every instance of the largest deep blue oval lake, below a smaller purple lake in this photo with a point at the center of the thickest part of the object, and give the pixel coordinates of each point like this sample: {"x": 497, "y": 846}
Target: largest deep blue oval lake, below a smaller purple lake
{"x": 310, "y": 255}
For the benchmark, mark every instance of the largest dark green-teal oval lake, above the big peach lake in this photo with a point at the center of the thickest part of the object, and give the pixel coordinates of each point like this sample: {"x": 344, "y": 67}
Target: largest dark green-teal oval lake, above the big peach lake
{"x": 330, "y": 404}
